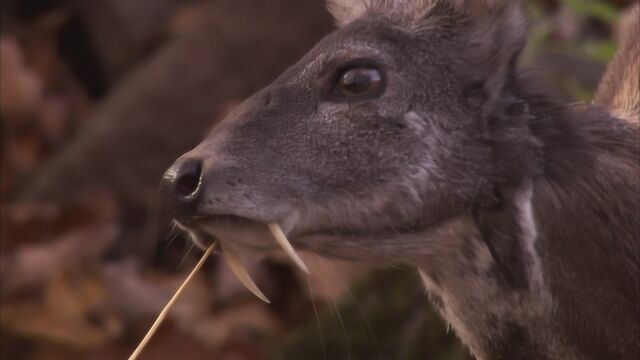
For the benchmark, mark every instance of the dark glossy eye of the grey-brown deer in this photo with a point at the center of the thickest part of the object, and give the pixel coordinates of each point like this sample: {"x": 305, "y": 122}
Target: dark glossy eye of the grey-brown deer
{"x": 358, "y": 83}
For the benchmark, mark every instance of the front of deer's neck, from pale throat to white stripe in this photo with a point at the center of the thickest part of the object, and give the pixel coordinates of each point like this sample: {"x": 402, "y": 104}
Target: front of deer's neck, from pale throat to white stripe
{"x": 491, "y": 286}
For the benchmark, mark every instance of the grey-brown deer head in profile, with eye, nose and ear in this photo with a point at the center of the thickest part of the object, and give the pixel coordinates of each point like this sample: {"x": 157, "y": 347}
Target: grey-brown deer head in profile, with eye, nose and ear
{"x": 383, "y": 129}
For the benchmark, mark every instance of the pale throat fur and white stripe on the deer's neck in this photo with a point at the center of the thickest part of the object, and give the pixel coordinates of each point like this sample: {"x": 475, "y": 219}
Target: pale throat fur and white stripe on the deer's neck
{"x": 472, "y": 298}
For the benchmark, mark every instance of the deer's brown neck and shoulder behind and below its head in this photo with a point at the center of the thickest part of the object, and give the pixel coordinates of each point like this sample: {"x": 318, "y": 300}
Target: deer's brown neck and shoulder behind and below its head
{"x": 523, "y": 277}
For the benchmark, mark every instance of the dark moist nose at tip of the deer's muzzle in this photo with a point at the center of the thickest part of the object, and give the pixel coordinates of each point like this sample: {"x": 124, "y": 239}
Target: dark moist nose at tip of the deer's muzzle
{"x": 181, "y": 186}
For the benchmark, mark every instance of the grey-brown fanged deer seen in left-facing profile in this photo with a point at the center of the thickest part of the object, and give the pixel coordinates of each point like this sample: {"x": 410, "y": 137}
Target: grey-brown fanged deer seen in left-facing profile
{"x": 412, "y": 134}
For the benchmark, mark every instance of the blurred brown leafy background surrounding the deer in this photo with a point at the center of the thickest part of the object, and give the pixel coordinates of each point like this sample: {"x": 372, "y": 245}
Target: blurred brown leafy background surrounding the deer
{"x": 97, "y": 98}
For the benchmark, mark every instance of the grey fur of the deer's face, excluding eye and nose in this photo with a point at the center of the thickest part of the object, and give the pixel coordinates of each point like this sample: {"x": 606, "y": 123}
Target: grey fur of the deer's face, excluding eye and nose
{"x": 410, "y": 157}
